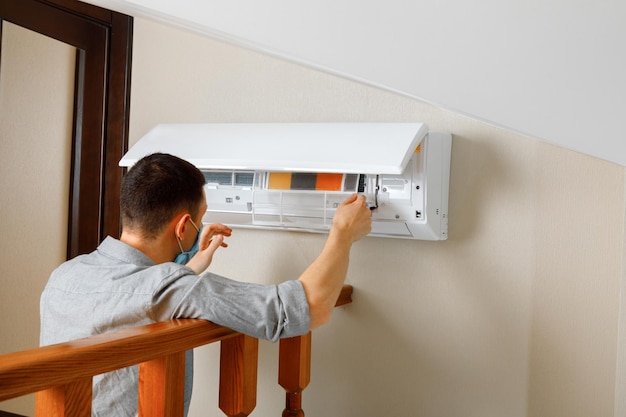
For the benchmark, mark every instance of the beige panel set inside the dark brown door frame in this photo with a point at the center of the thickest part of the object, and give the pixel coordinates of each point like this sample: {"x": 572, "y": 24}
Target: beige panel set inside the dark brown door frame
{"x": 36, "y": 96}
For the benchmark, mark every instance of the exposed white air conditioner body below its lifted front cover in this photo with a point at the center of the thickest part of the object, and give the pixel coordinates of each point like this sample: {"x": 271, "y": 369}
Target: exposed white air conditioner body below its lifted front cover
{"x": 410, "y": 205}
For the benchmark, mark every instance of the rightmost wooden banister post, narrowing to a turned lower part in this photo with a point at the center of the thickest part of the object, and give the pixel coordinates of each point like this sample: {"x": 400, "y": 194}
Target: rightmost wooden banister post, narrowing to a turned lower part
{"x": 294, "y": 371}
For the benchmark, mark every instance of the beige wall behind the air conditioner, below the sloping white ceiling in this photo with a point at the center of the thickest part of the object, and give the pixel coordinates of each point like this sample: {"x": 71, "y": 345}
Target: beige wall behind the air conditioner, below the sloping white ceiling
{"x": 517, "y": 314}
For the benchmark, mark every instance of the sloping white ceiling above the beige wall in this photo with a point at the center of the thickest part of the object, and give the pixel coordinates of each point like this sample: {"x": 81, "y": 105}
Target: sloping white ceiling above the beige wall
{"x": 552, "y": 69}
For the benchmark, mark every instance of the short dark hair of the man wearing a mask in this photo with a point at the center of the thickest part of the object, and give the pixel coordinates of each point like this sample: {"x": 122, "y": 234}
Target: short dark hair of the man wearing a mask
{"x": 155, "y": 189}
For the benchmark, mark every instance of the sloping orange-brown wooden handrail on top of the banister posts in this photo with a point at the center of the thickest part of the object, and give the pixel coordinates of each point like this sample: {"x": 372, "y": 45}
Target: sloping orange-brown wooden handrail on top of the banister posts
{"x": 32, "y": 370}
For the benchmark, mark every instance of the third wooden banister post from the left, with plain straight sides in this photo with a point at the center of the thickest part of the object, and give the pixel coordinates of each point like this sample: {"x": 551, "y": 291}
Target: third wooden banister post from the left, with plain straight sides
{"x": 238, "y": 372}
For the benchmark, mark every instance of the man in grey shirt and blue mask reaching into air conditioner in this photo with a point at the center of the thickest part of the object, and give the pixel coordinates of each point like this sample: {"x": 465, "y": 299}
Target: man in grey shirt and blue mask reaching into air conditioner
{"x": 134, "y": 281}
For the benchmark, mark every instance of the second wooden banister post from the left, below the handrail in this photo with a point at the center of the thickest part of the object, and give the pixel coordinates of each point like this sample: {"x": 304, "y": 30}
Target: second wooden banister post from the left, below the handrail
{"x": 162, "y": 386}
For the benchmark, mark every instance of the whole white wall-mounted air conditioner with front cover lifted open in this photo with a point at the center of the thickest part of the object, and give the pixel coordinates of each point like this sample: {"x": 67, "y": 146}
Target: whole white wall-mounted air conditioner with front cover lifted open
{"x": 292, "y": 176}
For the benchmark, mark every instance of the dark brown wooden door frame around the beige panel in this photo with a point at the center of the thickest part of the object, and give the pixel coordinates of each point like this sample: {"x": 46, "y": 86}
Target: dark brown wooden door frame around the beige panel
{"x": 103, "y": 39}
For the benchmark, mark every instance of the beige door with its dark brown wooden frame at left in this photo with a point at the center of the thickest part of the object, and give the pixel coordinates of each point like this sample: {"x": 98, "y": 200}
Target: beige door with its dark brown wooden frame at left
{"x": 64, "y": 104}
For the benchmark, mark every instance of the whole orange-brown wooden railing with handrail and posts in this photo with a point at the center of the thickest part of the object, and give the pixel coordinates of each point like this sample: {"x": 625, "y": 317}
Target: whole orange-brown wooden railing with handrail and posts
{"x": 61, "y": 374}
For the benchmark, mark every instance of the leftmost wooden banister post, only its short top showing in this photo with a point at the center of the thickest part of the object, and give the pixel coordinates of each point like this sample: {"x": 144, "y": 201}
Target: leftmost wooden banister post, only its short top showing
{"x": 70, "y": 400}
